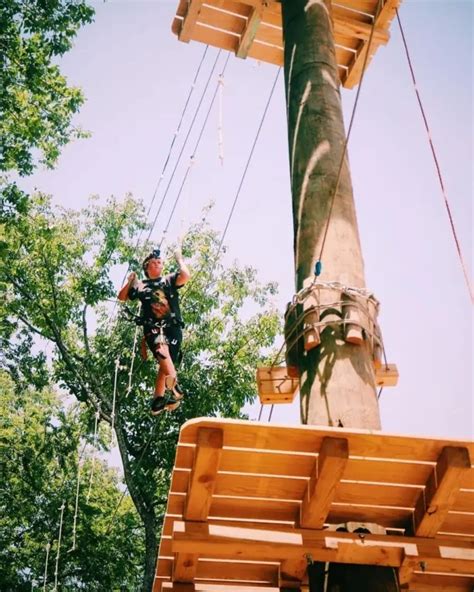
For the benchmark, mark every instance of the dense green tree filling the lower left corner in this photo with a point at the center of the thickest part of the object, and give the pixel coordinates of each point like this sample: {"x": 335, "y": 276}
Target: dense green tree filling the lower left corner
{"x": 39, "y": 448}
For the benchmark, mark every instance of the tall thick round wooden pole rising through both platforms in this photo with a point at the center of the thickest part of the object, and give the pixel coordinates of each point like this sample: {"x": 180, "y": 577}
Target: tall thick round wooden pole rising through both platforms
{"x": 337, "y": 378}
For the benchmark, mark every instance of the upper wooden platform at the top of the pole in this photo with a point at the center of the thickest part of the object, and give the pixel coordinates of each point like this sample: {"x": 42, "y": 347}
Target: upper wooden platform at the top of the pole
{"x": 252, "y": 28}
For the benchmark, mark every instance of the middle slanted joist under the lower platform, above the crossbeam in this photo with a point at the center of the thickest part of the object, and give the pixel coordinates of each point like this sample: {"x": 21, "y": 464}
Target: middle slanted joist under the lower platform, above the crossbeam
{"x": 321, "y": 488}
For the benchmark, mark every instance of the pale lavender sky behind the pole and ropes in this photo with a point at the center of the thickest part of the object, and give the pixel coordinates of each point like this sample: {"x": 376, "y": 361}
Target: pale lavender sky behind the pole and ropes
{"x": 136, "y": 77}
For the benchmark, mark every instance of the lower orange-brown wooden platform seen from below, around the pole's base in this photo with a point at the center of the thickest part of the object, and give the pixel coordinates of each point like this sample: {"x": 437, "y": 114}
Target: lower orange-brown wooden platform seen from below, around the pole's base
{"x": 249, "y": 500}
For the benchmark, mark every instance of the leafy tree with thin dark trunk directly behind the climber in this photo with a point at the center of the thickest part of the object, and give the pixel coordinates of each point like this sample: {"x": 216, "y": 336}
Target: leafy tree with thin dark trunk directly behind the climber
{"x": 58, "y": 275}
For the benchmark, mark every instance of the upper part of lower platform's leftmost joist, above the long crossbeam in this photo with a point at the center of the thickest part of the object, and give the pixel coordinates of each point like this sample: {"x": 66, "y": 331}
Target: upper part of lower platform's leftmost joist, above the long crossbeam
{"x": 203, "y": 477}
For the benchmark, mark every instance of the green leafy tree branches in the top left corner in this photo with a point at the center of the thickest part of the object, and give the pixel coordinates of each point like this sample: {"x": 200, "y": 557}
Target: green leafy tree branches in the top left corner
{"x": 36, "y": 103}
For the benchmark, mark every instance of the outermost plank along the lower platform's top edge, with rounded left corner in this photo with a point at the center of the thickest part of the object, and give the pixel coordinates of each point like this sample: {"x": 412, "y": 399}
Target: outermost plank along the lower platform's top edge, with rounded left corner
{"x": 308, "y": 439}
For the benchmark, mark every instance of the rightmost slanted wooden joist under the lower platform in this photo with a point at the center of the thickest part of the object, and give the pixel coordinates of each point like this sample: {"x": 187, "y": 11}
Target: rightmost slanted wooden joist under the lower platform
{"x": 443, "y": 485}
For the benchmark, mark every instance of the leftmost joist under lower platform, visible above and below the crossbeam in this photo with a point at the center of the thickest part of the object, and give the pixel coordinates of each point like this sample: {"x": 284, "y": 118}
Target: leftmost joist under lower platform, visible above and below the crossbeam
{"x": 199, "y": 498}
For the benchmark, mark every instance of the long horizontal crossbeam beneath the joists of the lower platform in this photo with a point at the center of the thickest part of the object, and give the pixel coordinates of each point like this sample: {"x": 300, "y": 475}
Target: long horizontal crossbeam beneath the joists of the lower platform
{"x": 212, "y": 540}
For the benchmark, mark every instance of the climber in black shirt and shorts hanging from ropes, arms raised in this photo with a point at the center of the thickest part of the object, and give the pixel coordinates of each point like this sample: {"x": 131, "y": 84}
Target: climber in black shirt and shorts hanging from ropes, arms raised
{"x": 162, "y": 323}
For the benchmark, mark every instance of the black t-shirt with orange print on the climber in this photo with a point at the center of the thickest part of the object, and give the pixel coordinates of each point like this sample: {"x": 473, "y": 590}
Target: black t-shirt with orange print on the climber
{"x": 159, "y": 298}
